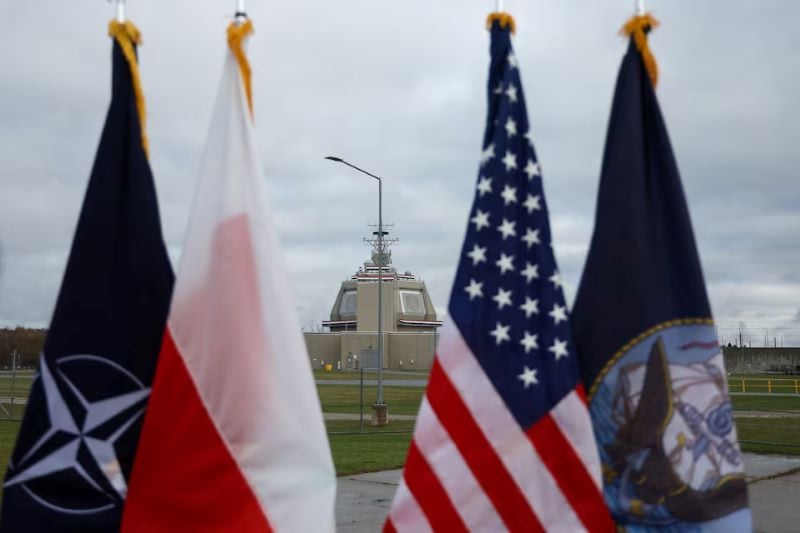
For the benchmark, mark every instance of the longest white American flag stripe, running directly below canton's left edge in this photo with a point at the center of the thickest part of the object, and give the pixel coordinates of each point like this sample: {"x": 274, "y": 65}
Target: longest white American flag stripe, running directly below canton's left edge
{"x": 506, "y": 437}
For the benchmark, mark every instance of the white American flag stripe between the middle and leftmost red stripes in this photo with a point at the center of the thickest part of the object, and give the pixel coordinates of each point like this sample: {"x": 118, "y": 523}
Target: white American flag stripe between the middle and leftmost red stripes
{"x": 456, "y": 478}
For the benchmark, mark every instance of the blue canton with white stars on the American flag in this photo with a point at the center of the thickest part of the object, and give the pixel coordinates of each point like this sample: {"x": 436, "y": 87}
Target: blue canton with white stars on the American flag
{"x": 507, "y": 299}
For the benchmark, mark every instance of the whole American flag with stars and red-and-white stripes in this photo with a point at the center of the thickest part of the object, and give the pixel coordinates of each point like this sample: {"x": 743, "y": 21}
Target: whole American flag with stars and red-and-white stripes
{"x": 503, "y": 440}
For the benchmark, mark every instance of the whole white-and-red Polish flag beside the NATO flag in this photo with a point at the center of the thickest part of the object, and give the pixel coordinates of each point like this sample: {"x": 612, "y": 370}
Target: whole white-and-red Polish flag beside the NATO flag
{"x": 233, "y": 439}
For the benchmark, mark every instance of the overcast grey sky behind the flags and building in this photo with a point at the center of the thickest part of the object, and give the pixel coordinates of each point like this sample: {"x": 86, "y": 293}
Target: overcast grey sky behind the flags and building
{"x": 399, "y": 89}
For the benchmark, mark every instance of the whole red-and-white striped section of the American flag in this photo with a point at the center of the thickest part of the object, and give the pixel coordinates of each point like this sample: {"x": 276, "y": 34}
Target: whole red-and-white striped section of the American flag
{"x": 471, "y": 467}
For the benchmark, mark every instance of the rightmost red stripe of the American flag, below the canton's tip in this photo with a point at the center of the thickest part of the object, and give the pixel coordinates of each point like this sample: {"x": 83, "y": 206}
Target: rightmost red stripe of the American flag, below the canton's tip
{"x": 570, "y": 473}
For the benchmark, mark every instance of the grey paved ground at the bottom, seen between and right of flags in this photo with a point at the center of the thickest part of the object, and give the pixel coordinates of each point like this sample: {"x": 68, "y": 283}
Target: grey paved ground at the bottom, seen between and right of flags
{"x": 363, "y": 501}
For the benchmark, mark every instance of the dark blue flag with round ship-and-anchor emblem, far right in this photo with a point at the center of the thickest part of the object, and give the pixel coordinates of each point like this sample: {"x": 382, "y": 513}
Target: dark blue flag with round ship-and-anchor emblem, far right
{"x": 644, "y": 334}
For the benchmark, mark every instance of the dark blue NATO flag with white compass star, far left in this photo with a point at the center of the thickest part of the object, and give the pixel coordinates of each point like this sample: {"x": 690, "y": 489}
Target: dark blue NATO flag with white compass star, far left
{"x": 77, "y": 442}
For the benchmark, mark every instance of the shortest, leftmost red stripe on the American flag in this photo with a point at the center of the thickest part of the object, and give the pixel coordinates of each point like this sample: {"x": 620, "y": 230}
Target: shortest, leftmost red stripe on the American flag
{"x": 432, "y": 498}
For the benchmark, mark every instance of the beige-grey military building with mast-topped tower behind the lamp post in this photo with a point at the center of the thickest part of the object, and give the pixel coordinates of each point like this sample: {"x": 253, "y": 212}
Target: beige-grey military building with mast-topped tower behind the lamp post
{"x": 409, "y": 322}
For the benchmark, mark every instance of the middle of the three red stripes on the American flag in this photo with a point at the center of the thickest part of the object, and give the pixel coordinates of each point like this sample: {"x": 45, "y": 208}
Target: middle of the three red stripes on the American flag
{"x": 478, "y": 453}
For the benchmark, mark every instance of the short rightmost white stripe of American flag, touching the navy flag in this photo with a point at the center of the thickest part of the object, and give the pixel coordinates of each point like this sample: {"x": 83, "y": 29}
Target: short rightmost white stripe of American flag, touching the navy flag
{"x": 573, "y": 419}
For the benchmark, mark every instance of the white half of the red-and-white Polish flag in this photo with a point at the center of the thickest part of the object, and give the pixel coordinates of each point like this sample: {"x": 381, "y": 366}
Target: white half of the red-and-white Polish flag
{"x": 244, "y": 349}
